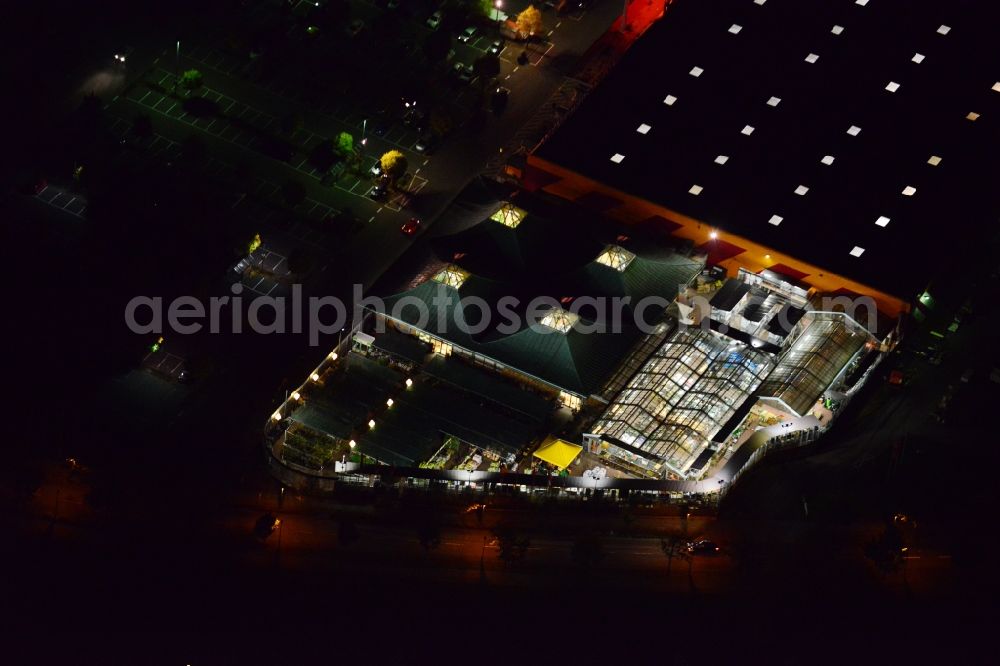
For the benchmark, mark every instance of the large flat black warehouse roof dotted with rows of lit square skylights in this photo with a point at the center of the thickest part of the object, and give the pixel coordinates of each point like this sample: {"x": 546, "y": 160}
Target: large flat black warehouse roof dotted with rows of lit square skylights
{"x": 855, "y": 135}
